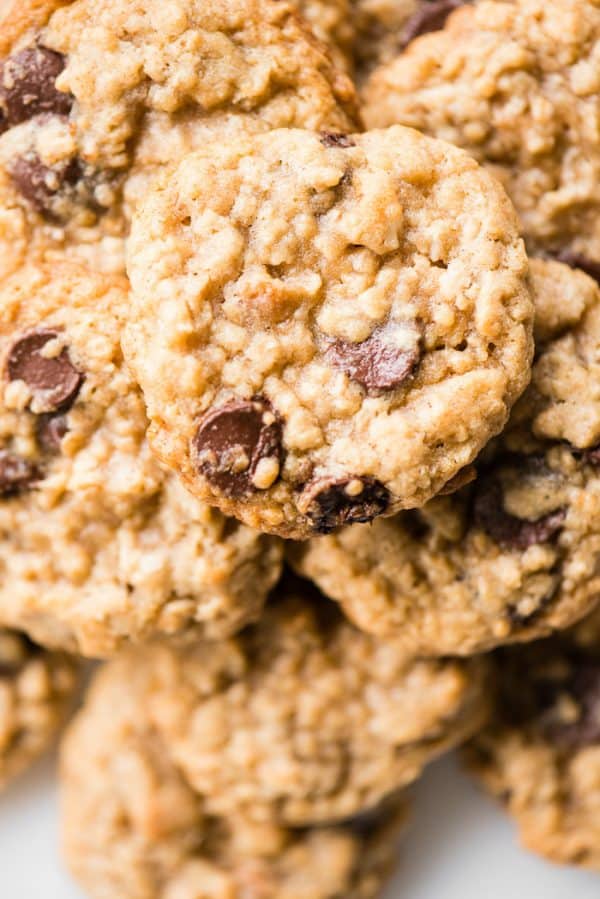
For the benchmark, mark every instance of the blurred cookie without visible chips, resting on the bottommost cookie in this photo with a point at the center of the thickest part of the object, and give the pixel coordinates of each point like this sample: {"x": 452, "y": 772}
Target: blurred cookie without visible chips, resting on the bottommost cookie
{"x": 301, "y": 718}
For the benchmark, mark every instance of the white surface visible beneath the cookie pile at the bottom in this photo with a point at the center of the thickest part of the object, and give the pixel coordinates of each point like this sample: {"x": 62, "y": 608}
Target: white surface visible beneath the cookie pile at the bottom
{"x": 458, "y": 846}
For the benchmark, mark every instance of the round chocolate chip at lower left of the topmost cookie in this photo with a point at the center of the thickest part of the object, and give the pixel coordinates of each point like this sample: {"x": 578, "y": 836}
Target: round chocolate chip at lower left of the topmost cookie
{"x": 233, "y": 440}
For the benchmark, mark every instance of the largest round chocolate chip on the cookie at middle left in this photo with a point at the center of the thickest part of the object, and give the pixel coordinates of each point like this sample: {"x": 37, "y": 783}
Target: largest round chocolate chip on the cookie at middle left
{"x": 53, "y": 381}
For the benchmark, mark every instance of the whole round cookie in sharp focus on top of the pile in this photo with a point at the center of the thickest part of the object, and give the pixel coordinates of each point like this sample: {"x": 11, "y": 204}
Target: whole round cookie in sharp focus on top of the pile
{"x": 326, "y": 328}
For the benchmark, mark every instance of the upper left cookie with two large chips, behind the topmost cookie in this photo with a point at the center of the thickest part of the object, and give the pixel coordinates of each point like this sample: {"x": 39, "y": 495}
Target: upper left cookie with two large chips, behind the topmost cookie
{"x": 90, "y": 92}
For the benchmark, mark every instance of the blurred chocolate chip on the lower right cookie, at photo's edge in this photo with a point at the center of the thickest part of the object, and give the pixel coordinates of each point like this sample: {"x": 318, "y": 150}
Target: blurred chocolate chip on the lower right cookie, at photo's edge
{"x": 583, "y": 690}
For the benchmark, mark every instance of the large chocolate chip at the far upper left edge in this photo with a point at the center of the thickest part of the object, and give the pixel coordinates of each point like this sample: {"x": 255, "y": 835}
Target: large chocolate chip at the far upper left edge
{"x": 28, "y": 86}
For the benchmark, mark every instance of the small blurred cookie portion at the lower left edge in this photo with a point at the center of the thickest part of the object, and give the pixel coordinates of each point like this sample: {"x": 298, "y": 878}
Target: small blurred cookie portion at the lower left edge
{"x": 36, "y": 688}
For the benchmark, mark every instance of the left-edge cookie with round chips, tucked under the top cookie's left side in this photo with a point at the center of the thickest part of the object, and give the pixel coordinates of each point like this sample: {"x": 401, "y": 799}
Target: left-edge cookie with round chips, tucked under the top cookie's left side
{"x": 97, "y": 544}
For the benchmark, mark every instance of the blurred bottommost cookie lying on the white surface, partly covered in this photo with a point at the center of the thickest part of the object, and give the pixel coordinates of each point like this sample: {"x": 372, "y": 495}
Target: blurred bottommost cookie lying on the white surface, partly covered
{"x": 135, "y": 825}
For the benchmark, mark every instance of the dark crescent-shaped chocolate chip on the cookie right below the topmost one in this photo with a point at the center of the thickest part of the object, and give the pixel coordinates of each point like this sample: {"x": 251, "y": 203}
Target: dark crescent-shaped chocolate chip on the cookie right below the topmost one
{"x": 507, "y": 530}
